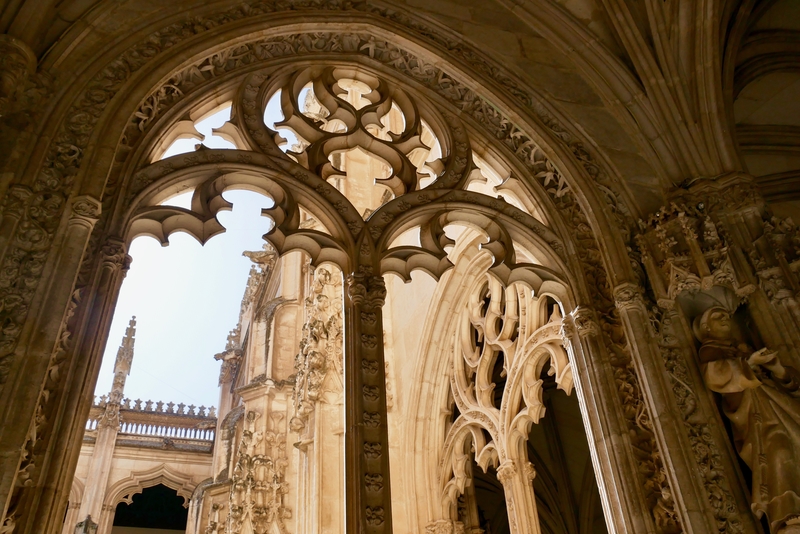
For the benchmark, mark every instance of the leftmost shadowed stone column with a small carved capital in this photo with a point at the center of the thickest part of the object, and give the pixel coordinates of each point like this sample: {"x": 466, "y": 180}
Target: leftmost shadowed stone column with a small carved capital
{"x": 37, "y": 368}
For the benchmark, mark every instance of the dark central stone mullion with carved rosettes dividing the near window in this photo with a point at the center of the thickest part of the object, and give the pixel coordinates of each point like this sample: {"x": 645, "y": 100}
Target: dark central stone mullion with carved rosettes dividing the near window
{"x": 367, "y": 490}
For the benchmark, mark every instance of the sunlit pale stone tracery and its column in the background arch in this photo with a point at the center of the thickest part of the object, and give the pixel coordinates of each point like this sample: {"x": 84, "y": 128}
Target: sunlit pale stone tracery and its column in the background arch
{"x": 505, "y": 324}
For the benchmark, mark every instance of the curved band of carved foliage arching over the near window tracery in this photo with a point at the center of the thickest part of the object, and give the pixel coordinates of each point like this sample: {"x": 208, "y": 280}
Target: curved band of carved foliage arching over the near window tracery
{"x": 524, "y": 141}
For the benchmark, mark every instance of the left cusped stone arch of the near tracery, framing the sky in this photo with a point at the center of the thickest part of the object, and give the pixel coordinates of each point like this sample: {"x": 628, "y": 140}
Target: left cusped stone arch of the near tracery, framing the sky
{"x": 224, "y": 169}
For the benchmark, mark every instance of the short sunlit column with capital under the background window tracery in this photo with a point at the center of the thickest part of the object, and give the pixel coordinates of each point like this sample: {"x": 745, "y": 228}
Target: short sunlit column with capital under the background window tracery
{"x": 517, "y": 480}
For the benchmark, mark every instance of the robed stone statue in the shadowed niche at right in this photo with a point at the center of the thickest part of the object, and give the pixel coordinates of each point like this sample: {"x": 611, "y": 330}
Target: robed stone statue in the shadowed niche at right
{"x": 761, "y": 399}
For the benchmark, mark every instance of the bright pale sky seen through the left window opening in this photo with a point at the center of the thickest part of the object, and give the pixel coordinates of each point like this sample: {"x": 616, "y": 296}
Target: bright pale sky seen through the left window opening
{"x": 186, "y": 297}
